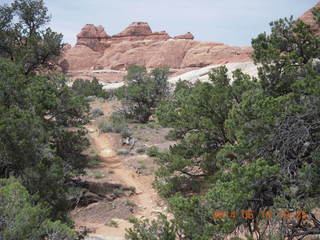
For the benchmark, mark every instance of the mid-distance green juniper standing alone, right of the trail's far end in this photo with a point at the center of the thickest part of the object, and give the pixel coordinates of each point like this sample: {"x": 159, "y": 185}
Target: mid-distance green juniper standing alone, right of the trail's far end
{"x": 143, "y": 91}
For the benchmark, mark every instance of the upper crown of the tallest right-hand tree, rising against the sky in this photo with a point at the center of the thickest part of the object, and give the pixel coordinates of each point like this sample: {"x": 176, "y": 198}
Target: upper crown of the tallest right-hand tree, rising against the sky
{"x": 284, "y": 55}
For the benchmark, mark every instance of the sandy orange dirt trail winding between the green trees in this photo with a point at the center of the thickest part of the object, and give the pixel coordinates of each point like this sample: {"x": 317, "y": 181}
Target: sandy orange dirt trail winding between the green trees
{"x": 146, "y": 198}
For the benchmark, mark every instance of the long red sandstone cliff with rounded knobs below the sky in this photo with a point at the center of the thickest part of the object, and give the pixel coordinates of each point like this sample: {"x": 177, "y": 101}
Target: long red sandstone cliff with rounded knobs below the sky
{"x": 137, "y": 44}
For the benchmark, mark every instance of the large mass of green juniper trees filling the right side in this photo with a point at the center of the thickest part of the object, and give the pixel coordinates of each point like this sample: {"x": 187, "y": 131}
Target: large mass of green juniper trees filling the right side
{"x": 250, "y": 144}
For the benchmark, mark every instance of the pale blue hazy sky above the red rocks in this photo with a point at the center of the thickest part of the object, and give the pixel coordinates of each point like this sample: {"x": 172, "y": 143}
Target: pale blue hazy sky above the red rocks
{"x": 233, "y": 22}
